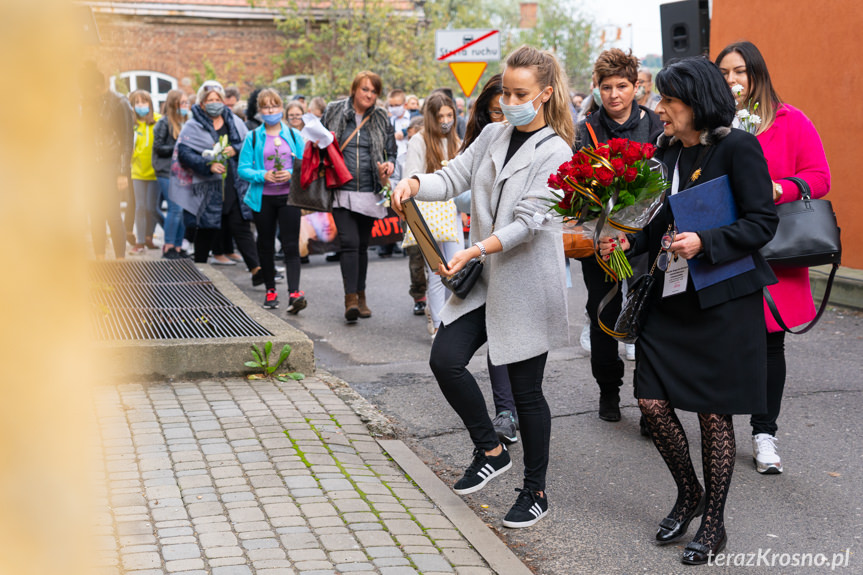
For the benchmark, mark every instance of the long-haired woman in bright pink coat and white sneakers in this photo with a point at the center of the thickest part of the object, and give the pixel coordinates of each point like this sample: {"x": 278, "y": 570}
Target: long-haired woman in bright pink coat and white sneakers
{"x": 792, "y": 148}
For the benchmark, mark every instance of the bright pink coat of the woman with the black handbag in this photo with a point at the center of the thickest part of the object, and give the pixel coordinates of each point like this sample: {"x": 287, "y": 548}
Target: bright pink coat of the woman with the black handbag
{"x": 792, "y": 147}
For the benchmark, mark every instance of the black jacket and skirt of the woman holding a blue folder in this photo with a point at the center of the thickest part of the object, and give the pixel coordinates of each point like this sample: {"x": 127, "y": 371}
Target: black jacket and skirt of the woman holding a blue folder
{"x": 706, "y": 351}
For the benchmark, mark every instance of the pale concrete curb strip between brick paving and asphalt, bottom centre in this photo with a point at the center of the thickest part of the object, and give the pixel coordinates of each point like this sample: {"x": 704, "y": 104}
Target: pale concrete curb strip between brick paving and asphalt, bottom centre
{"x": 495, "y": 552}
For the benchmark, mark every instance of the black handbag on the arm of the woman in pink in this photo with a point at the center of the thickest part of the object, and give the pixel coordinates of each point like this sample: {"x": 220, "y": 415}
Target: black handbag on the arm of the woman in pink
{"x": 808, "y": 235}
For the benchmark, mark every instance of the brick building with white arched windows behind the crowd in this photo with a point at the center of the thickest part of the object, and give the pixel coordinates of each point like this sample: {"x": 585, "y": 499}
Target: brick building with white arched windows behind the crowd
{"x": 158, "y": 45}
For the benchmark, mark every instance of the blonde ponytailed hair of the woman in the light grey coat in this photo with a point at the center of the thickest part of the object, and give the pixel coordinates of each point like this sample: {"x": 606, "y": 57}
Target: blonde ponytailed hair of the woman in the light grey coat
{"x": 548, "y": 72}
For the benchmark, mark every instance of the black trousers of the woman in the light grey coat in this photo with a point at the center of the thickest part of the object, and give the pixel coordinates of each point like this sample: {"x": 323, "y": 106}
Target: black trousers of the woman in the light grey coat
{"x": 453, "y": 347}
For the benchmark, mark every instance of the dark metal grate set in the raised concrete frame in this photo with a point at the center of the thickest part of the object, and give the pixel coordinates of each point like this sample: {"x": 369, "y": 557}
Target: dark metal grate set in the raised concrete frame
{"x": 164, "y": 299}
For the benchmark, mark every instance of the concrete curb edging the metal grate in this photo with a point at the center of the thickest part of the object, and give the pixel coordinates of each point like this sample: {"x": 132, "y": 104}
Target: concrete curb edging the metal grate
{"x": 161, "y": 360}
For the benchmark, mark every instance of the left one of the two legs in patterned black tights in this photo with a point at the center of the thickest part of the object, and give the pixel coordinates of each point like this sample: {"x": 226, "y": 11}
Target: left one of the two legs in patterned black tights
{"x": 670, "y": 440}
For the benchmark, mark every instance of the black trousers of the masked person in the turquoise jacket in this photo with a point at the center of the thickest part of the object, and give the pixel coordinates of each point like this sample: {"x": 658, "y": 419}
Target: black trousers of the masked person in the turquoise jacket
{"x": 275, "y": 212}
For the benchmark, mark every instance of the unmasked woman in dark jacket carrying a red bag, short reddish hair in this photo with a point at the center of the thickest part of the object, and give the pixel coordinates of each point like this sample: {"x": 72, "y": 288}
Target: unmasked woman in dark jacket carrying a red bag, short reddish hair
{"x": 369, "y": 146}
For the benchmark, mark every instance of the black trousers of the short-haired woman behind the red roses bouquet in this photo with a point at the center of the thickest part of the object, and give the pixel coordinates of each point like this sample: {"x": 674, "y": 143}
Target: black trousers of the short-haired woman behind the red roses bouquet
{"x": 605, "y": 363}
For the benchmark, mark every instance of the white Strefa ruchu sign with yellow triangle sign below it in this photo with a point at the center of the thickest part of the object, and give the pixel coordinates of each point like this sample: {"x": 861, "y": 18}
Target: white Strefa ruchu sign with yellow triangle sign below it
{"x": 467, "y": 51}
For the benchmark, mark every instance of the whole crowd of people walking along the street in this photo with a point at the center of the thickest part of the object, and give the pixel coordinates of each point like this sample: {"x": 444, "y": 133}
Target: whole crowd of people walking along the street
{"x": 224, "y": 168}
